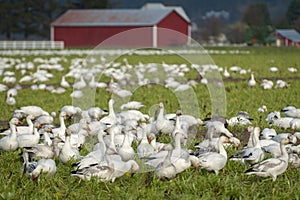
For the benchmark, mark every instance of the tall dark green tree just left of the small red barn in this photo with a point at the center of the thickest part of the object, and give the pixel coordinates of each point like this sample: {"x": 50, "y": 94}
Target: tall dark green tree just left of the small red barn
{"x": 258, "y": 19}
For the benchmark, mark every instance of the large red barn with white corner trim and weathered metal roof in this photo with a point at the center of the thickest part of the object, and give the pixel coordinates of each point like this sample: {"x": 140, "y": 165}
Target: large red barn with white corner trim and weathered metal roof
{"x": 155, "y": 25}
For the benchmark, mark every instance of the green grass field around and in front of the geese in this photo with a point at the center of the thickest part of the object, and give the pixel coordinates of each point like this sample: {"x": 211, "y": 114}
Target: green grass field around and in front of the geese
{"x": 231, "y": 183}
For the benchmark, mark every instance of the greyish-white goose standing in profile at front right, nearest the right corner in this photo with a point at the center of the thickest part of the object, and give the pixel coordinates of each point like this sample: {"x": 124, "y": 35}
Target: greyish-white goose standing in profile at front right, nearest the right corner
{"x": 272, "y": 166}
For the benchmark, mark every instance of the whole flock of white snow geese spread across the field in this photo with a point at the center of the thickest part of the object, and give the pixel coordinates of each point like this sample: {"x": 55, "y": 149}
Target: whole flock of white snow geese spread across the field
{"x": 129, "y": 140}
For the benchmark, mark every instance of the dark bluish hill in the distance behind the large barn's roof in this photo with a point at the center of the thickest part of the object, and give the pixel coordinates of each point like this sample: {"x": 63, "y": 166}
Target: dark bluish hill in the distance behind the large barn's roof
{"x": 196, "y": 9}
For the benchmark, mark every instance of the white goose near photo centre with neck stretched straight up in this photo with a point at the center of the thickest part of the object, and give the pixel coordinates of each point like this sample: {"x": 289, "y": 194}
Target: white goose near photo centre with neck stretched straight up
{"x": 163, "y": 125}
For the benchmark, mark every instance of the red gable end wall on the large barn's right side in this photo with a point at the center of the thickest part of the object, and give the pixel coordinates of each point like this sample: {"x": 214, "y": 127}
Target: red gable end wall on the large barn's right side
{"x": 176, "y": 23}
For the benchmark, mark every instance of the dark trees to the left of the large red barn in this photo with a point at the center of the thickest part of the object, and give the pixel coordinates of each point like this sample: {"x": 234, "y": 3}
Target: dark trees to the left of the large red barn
{"x": 25, "y": 18}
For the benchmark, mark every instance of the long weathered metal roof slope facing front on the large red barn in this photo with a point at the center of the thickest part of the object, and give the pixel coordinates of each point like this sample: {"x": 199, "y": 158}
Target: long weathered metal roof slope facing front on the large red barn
{"x": 113, "y": 17}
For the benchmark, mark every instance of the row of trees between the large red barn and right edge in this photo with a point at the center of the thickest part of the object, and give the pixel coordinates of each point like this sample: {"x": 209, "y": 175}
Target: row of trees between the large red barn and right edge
{"x": 256, "y": 25}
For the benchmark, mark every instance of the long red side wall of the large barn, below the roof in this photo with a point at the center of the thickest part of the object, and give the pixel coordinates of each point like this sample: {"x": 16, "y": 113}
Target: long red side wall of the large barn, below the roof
{"x": 92, "y": 36}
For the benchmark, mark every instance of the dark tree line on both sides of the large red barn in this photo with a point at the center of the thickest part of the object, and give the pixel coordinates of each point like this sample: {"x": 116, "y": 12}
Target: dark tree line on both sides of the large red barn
{"x": 27, "y": 19}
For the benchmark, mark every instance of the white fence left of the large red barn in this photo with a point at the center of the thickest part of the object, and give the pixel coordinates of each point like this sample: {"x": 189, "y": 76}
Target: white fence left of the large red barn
{"x": 31, "y": 44}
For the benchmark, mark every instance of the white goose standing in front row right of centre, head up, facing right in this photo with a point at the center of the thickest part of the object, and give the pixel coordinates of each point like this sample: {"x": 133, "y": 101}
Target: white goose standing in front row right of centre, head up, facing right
{"x": 213, "y": 161}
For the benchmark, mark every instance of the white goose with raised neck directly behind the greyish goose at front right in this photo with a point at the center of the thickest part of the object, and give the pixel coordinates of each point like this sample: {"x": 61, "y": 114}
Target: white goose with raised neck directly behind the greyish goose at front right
{"x": 250, "y": 155}
